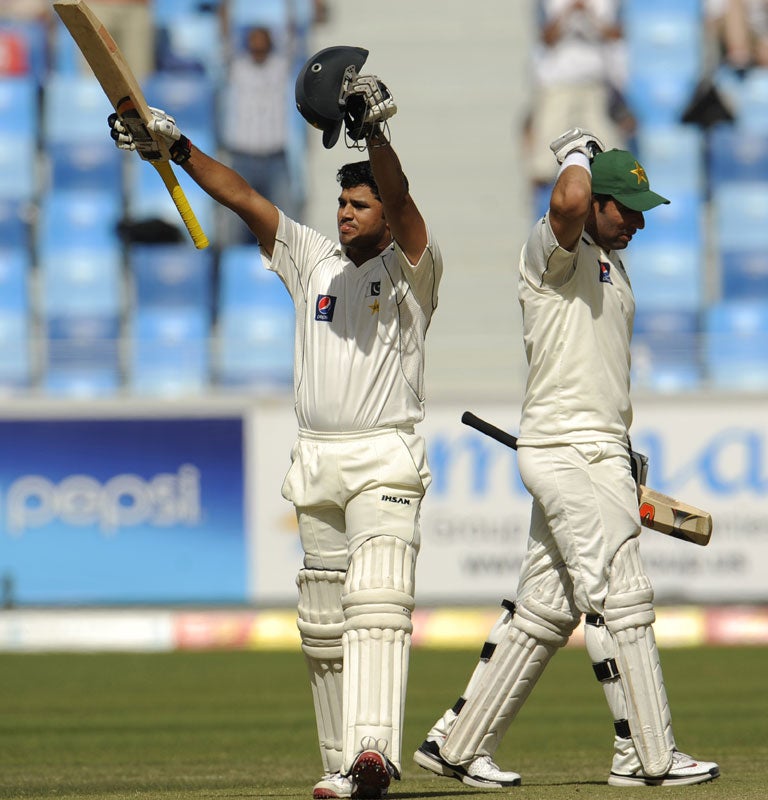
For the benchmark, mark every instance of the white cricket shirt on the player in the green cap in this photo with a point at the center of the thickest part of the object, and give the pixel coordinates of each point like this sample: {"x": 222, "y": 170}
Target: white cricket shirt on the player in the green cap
{"x": 577, "y": 336}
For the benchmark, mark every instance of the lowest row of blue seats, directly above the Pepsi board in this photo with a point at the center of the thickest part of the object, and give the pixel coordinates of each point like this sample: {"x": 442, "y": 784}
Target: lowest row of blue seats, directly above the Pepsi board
{"x": 82, "y": 329}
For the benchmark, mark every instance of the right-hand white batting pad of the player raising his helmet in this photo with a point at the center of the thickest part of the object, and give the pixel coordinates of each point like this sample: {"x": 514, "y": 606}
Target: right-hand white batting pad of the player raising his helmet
{"x": 377, "y": 601}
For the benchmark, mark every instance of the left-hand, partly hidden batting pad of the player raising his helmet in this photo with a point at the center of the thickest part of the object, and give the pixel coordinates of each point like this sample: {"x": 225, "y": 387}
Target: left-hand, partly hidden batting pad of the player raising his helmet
{"x": 320, "y": 623}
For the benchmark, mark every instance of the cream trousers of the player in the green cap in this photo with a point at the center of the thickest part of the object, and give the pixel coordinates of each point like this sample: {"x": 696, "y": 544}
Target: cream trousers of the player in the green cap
{"x": 584, "y": 508}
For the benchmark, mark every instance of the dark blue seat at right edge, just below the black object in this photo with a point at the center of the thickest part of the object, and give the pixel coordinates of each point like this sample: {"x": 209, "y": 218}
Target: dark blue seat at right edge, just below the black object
{"x": 737, "y": 155}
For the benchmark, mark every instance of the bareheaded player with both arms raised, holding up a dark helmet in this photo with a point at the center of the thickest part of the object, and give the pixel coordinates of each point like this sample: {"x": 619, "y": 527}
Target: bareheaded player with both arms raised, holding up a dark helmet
{"x": 359, "y": 470}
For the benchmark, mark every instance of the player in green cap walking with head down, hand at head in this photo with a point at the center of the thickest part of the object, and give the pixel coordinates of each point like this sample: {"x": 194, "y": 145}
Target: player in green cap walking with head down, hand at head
{"x": 582, "y": 555}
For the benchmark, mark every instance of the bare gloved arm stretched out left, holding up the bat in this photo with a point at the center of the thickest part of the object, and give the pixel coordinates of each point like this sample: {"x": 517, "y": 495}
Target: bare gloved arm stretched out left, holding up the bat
{"x": 219, "y": 181}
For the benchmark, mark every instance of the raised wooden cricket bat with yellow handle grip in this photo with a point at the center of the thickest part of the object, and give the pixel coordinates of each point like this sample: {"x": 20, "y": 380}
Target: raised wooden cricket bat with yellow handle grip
{"x": 120, "y": 86}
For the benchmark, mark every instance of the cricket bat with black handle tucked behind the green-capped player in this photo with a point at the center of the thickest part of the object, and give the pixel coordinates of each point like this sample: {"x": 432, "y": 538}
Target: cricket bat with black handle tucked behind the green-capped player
{"x": 657, "y": 511}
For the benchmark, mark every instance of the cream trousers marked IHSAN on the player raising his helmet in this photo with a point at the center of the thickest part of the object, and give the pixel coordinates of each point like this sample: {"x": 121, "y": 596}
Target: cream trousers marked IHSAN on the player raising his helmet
{"x": 348, "y": 488}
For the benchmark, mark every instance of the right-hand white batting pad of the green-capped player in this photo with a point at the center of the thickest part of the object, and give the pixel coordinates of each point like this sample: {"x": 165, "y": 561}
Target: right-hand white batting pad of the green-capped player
{"x": 629, "y": 615}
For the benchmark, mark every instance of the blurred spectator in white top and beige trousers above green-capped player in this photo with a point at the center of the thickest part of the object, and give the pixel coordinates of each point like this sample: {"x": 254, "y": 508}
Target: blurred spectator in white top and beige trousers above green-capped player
{"x": 579, "y": 73}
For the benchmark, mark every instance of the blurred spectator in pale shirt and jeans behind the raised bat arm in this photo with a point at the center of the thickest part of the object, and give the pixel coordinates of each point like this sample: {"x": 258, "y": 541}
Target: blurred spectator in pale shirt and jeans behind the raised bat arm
{"x": 257, "y": 98}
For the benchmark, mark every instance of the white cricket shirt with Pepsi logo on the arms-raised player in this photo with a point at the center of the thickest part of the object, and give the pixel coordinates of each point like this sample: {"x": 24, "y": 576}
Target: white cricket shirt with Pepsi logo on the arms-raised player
{"x": 359, "y": 352}
